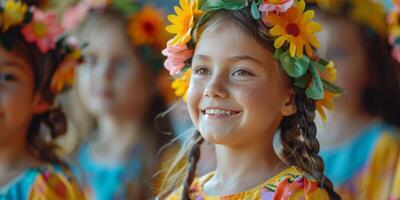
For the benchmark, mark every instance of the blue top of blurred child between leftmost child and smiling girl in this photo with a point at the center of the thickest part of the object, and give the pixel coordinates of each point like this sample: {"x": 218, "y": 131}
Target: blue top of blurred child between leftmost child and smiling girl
{"x": 109, "y": 182}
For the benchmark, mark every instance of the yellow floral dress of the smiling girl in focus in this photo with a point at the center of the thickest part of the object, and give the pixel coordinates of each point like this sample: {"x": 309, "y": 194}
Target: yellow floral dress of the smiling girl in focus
{"x": 290, "y": 184}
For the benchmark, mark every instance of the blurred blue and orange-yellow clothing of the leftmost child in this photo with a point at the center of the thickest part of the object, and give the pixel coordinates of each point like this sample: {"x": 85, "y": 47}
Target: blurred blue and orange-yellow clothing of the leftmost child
{"x": 50, "y": 182}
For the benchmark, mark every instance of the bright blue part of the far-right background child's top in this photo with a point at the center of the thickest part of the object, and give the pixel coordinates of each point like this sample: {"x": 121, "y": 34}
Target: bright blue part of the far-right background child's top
{"x": 345, "y": 161}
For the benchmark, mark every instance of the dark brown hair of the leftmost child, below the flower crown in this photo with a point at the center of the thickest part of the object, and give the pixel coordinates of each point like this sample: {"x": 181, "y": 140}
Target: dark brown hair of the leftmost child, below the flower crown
{"x": 46, "y": 127}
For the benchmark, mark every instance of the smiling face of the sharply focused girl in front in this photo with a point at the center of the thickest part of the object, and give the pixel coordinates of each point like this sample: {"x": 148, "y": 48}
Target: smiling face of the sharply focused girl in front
{"x": 237, "y": 93}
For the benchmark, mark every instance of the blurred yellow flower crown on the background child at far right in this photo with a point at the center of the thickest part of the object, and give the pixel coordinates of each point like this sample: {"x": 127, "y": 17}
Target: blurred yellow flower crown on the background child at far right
{"x": 366, "y": 12}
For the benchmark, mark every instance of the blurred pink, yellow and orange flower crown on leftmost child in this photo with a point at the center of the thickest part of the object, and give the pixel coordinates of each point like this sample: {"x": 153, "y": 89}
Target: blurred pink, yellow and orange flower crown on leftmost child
{"x": 42, "y": 30}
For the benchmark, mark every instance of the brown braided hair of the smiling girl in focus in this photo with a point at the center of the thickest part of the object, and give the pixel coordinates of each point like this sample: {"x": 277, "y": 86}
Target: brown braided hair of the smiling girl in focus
{"x": 298, "y": 131}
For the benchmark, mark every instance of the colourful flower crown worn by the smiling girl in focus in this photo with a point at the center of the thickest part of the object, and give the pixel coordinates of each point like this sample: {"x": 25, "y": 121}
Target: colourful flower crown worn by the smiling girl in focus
{"x": 289, "y": 24}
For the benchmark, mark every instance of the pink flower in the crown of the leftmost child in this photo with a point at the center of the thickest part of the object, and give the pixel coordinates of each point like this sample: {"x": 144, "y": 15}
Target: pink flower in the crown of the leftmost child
{"x": 43, "y": 30}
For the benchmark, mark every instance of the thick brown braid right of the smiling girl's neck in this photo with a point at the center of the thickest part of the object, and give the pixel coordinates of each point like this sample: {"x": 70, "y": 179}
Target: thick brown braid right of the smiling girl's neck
{"x": 299, "y": 142}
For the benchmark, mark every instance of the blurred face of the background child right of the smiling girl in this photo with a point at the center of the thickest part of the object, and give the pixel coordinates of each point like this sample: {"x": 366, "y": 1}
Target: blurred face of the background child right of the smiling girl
{"x": 344, "y": 47}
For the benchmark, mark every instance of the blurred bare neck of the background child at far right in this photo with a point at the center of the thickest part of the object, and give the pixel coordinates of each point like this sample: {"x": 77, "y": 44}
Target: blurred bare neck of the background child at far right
{"x": 342, "y": 126}
